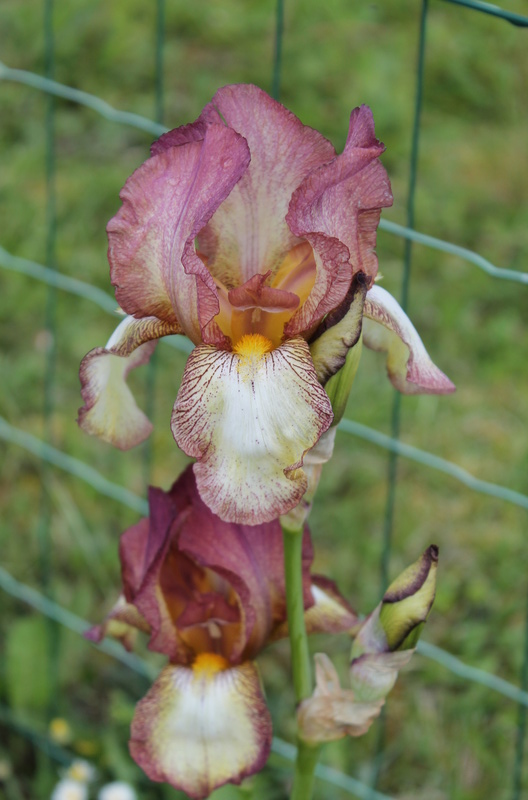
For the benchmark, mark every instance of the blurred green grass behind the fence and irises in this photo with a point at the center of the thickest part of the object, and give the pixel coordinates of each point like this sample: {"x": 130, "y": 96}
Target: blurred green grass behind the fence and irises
{"x": 63, "y": 165}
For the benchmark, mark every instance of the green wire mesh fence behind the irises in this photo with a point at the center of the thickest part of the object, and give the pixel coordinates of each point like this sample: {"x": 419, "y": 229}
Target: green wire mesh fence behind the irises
{"x": 44, "y": 450}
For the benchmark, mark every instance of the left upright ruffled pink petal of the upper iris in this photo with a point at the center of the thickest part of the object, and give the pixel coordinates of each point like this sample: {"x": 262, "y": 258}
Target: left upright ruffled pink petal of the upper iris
{"x": 154, "y": 266}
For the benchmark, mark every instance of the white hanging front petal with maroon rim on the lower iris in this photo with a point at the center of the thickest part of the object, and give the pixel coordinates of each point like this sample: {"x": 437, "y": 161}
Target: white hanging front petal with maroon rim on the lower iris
{"x": 201, "y": 727}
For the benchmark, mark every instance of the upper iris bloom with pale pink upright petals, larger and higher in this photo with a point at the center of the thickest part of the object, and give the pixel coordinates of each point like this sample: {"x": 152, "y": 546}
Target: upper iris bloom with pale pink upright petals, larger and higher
{"x": 247, "y": 233}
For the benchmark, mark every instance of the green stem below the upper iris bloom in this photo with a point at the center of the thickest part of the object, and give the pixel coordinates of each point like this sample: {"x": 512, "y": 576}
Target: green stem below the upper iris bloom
{"x": 301, "y": 666}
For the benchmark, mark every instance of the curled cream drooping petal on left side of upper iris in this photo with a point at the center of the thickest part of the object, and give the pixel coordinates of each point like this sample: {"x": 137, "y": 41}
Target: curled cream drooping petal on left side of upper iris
{"x": 110, "y": 410}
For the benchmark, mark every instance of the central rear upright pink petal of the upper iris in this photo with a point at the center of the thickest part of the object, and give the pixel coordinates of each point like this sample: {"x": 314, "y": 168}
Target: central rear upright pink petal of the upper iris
{"x": 248, "y": 234}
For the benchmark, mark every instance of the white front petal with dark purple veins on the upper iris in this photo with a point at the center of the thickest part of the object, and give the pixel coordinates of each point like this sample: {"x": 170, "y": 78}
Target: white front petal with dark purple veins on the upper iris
{"x": 248, "y": 417}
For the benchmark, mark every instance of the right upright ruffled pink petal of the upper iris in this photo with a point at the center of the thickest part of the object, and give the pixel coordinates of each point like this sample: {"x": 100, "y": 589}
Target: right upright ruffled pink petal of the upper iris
{"x": 337, "y": 209}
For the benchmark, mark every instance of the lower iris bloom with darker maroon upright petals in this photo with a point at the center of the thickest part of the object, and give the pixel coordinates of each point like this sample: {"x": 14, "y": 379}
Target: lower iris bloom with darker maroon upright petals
{"x": 211, "y": 595}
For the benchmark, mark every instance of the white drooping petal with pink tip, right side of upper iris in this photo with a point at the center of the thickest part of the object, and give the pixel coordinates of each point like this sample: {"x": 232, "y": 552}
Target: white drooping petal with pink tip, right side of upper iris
{"x": 388, "y": 328}
